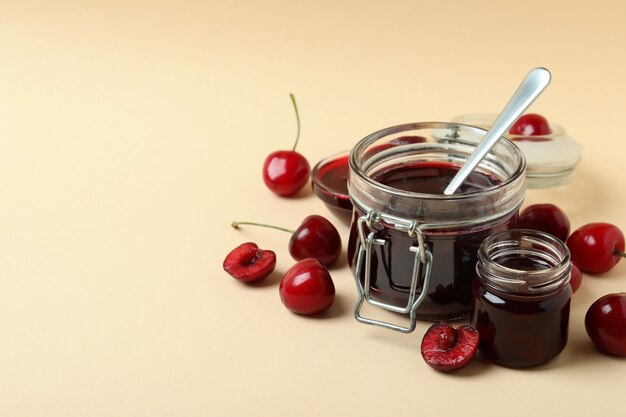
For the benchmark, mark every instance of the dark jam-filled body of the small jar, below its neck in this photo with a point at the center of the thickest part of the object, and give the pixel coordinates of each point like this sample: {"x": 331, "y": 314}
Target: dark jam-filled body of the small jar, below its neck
{"x": 520, "y": 331}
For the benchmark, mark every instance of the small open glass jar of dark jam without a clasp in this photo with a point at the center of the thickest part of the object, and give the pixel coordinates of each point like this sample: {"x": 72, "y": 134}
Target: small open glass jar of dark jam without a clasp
{"x": 521, "y": 298}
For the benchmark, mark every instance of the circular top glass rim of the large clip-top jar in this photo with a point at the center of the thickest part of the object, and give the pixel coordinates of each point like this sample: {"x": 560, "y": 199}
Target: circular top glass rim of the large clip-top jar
{"x": 360, "y": 148}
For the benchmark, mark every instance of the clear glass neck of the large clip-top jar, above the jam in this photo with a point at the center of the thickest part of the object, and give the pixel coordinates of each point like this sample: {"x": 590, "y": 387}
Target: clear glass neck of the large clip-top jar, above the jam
{"x": 442, "y": 143}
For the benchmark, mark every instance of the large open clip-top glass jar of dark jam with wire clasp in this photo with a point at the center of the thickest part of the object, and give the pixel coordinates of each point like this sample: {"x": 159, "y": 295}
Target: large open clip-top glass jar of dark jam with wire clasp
{"x": 412, "y": 249}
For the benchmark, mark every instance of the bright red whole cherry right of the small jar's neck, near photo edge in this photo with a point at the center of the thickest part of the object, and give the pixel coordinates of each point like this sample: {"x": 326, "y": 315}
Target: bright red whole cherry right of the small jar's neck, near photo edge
{"x": 596, "y": 247}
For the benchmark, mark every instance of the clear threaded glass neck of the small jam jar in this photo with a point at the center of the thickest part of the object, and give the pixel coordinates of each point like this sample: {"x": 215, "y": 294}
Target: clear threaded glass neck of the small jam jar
{"x": 524, "y": 262}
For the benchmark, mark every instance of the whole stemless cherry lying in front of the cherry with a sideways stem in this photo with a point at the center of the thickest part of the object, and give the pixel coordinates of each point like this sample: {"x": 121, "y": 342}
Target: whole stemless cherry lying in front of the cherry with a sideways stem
{"x": 307, "y": 288}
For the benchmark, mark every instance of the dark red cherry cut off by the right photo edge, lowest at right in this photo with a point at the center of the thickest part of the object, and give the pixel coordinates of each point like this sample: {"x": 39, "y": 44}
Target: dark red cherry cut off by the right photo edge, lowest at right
{"x": 605, "y": 323}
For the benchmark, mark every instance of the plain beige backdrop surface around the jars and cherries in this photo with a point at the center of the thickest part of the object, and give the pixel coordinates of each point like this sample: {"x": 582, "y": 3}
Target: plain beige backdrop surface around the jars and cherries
{"x": 132, "y": 133}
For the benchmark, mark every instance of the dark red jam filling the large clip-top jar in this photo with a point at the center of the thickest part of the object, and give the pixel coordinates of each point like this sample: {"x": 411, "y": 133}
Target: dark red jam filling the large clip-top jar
{"x": 454, "y": 252}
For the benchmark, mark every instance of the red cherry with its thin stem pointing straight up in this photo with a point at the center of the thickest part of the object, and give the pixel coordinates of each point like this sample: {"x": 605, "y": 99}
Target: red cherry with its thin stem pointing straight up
{"x": 286, "y": 172}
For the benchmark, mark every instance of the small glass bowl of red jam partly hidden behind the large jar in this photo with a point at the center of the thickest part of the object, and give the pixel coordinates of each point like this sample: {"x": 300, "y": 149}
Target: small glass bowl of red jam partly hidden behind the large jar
{"x": 334, "y": 177}
